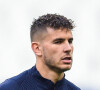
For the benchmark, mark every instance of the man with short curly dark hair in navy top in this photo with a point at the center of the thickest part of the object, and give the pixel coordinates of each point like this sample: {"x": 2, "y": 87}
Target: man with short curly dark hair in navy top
{"x": 51, "y": 39}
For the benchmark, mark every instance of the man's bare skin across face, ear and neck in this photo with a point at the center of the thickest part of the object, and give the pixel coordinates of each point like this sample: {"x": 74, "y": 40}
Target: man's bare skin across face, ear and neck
{"x": 54, "y": 53}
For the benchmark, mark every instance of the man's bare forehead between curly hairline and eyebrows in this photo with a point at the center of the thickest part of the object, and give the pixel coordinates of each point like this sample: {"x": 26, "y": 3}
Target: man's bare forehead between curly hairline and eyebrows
{"x": 59, "y": 33}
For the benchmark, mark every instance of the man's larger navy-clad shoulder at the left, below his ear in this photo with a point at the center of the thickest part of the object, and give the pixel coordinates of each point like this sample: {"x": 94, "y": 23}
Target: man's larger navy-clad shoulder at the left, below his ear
{"x": 15, "y": 82}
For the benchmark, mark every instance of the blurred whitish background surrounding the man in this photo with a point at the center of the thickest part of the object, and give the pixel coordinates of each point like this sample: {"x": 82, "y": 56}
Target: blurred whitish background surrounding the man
{"x": 16, "y": 56}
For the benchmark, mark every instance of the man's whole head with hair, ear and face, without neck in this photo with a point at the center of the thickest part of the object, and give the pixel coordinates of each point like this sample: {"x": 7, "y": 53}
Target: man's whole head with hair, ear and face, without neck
{"x": 51, "y": 39}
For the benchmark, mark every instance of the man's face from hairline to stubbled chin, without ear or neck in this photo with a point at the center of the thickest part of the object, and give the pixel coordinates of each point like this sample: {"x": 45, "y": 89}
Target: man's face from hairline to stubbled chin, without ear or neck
{"x": 57, "y": 49}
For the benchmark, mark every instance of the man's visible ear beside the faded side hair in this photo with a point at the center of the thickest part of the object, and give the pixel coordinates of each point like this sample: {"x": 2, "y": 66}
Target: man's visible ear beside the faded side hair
{"x": 36, "y": 48}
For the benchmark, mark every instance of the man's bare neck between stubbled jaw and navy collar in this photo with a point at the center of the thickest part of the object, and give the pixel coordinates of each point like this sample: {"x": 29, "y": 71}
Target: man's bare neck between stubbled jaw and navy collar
{"x": 48, "y": 73}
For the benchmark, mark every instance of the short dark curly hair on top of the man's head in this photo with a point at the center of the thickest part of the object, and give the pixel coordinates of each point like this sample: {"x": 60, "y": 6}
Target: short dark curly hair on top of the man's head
{"x": 54, "y": 21}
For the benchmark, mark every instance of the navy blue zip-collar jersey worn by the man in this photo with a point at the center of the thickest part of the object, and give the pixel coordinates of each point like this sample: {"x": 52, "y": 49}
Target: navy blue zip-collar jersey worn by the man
{"x": 32, "y": 80}
